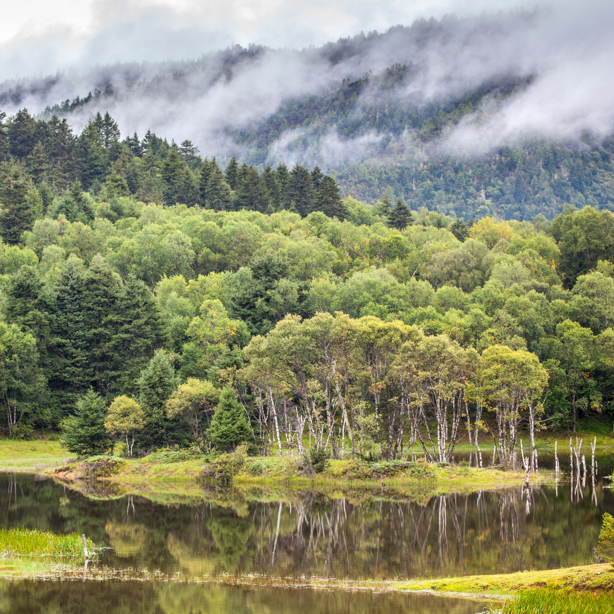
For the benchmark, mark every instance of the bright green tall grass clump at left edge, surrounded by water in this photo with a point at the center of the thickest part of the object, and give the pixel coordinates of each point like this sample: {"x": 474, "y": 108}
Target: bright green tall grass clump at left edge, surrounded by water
{"x": 30, "y": 542}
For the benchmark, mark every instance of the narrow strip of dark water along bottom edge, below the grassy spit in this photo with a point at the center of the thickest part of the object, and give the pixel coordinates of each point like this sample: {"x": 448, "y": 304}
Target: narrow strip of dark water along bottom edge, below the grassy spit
{"x": 160, "y": 598}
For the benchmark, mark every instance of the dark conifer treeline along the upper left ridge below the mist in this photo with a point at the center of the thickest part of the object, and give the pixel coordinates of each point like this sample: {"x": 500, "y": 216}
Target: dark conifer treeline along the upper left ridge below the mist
{"x": 46, "y": 165}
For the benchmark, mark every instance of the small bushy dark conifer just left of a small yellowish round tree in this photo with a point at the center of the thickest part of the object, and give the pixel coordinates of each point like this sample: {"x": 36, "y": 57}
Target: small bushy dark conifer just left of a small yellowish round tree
{"x": 84, "y": 433}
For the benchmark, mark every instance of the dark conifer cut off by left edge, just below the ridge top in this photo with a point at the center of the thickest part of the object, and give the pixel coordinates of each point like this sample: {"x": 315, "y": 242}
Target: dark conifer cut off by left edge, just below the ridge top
{"x": 19, "y": 200}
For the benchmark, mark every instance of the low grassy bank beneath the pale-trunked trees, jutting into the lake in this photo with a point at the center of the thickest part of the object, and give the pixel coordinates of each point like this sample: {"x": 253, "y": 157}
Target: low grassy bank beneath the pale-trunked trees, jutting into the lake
{"x": 168, "y": 476}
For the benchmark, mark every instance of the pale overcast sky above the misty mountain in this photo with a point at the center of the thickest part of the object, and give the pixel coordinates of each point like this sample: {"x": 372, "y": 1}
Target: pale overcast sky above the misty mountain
{"x": 38, "y": 37}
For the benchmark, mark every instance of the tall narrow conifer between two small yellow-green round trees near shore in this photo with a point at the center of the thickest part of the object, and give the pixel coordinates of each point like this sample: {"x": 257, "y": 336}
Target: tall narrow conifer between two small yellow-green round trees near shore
{"x": 156, "y": 385}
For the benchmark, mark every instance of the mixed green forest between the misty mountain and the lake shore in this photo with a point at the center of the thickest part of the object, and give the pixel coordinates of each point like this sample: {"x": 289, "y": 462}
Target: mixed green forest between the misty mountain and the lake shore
{"x": 147, "y": 290}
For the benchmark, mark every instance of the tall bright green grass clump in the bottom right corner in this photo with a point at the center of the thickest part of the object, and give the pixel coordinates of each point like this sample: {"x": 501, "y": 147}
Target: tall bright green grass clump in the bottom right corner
{"x": 552, "y": 601}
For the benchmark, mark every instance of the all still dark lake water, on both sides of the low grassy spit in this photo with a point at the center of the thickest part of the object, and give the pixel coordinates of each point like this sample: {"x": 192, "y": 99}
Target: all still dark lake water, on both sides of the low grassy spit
{"x": 298, "y": 534}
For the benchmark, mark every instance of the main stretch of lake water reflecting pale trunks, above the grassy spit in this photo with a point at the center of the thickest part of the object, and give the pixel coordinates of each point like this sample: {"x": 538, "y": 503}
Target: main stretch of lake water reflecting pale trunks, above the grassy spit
{"x": 307, "y": 534}
